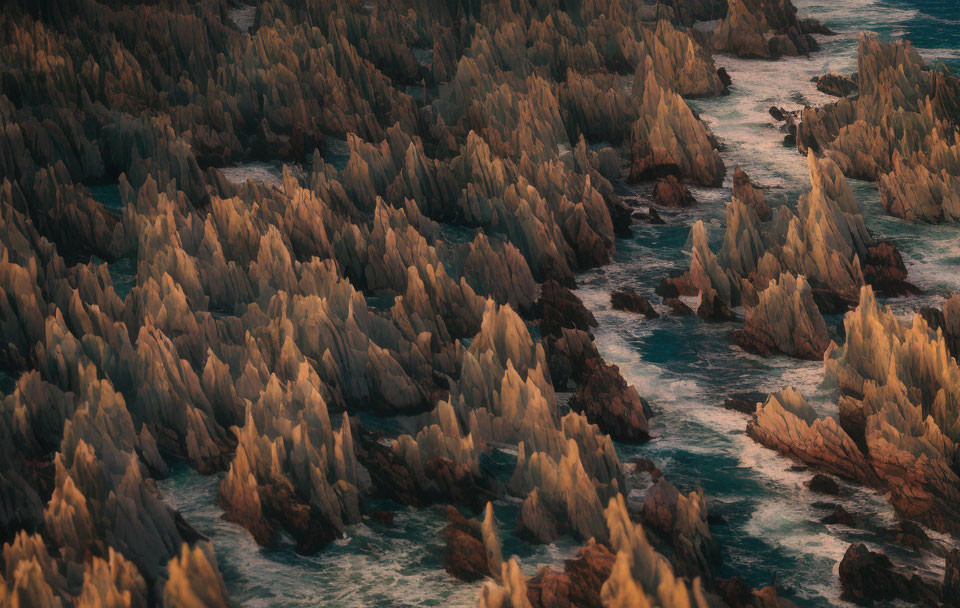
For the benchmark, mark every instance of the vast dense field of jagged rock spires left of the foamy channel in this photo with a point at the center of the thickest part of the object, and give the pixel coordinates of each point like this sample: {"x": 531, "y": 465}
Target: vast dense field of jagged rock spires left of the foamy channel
{"x": 259, "y": 320}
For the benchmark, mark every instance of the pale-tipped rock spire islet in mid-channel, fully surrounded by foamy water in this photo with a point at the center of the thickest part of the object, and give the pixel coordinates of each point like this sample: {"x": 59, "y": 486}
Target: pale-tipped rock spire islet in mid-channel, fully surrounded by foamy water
{"x": 785, "y": 268}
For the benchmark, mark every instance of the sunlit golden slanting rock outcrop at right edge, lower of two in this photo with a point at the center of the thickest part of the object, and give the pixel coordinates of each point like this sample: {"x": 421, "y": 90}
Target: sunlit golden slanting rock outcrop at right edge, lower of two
{"x": 896, "y": 425}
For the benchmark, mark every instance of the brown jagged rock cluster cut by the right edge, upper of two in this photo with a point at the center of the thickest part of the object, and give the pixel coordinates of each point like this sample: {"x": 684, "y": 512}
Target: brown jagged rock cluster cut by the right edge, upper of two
{"x": 900, "y": 129}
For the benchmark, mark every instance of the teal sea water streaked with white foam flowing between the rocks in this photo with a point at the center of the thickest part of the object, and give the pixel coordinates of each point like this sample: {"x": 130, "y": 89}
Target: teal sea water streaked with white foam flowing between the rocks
{"x": 770, "y": 530}
